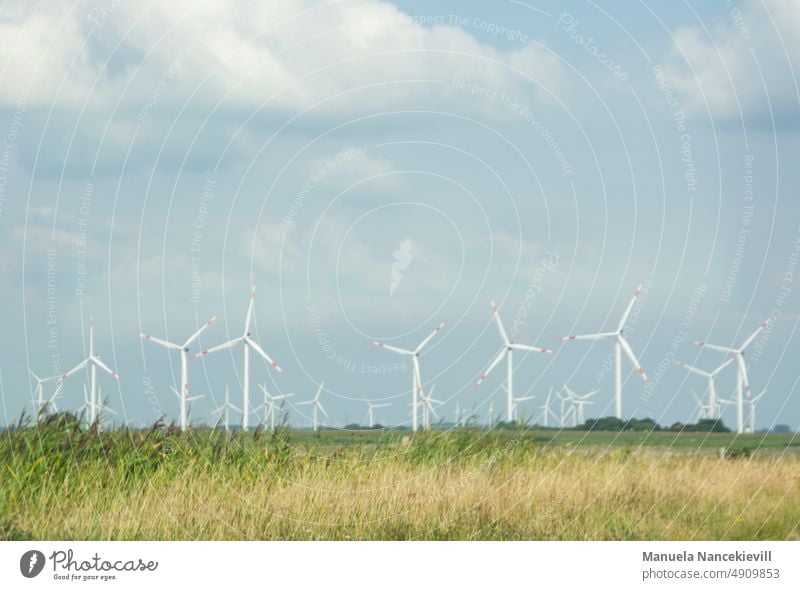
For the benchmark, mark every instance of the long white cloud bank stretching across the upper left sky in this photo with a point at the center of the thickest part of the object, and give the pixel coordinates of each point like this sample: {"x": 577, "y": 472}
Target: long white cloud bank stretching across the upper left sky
{"x": 293, "y": 54}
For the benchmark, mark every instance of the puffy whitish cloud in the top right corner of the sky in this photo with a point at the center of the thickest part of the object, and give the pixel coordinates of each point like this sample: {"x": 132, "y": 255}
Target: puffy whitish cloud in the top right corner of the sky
{"x": 746, "y": 66}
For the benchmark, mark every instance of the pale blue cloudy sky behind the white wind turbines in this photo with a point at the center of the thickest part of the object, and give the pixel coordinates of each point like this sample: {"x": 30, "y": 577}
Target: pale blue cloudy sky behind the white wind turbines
{"x": 377, "y": 168}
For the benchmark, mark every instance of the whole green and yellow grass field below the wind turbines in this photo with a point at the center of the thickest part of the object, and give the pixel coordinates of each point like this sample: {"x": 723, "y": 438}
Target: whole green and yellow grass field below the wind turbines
{"x": 61, "y": 482}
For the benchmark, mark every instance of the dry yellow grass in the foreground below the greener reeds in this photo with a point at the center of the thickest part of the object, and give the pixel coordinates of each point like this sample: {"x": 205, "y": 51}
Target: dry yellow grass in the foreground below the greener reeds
{"x": 520, "y": 494}
